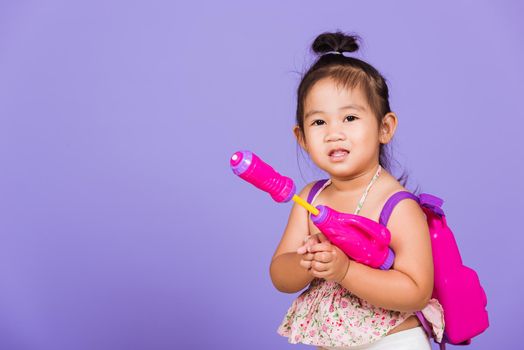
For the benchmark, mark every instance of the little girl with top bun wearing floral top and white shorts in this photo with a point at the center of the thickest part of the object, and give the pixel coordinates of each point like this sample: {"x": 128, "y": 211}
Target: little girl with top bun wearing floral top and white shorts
{"x": 344, "y": 123}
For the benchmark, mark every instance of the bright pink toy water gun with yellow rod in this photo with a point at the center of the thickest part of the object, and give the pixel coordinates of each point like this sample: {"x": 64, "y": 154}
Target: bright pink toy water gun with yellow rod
{"x": 362, "y": 239}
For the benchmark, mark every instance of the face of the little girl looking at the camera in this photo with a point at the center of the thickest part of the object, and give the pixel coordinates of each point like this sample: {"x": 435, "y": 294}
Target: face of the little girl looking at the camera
{"x": 341, "y": 132}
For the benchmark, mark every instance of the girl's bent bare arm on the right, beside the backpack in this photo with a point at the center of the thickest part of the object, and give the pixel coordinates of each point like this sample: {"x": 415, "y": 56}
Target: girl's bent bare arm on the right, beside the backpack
{"x": 409, "y": 284}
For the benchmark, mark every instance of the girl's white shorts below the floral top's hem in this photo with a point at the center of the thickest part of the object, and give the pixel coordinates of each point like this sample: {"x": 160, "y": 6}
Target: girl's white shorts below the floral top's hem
{"x": 410, "y": 339}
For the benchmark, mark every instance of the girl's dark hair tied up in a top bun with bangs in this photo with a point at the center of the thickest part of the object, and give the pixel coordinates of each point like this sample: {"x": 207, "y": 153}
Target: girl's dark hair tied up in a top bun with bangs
{"x": 347, "y": 72}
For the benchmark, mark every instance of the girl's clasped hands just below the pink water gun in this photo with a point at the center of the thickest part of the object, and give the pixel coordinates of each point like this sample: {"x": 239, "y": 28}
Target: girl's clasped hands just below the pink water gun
{"x": 328, "y": 261}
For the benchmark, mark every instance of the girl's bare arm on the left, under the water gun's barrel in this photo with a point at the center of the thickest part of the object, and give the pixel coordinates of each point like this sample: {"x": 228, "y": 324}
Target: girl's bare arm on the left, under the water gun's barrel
{"x": 286, "y": 273}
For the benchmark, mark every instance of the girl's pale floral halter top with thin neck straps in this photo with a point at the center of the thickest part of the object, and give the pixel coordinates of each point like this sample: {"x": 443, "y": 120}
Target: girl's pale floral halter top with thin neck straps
{"x": 327, "y": 314}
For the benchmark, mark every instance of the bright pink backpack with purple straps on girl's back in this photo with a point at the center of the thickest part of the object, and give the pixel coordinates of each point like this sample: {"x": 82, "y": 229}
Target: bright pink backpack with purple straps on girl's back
{"x": 456, "y": 287}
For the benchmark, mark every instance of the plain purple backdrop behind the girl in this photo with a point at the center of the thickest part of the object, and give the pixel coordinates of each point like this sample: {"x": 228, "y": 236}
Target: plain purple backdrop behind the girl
{"x": 122, "y": 226}
